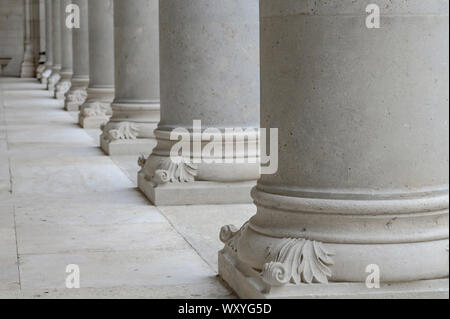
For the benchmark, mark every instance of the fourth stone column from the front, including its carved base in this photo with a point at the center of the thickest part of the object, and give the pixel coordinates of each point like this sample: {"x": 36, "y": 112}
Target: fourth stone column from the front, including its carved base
{"x": 96, "y": 111}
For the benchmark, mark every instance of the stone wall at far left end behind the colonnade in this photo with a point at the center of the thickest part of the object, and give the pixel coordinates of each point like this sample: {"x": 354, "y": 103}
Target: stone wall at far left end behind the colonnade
{"x": 12, "y": 34}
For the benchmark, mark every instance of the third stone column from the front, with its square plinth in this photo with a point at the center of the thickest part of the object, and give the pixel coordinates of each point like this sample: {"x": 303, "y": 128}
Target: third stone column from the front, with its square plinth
{"x": 136, "y": 104}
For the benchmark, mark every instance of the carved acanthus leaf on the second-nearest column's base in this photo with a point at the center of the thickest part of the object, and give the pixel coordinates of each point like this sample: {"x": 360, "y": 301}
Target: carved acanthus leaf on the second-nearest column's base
{"x": 170, "y": 171}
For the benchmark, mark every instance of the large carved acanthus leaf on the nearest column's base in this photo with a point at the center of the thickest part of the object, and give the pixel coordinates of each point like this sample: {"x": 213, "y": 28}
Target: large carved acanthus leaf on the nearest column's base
{"x": 297, "y": 261}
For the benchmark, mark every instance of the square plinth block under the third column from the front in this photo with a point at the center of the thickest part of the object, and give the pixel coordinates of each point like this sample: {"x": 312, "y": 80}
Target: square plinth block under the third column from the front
{"x": 138, "y": 146}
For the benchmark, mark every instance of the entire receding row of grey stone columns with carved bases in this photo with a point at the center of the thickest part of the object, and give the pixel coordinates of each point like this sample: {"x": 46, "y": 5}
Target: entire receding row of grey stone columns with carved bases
{"x": 361, "y": 114}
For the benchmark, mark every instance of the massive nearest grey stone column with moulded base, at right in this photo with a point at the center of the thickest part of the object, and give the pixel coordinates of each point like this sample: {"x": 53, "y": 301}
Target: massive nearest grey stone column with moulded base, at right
{"x": 362, "y": 184}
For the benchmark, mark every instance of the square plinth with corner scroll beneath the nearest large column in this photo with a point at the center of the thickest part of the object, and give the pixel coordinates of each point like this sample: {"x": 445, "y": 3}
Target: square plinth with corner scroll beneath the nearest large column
{"x": 247, "y": 283}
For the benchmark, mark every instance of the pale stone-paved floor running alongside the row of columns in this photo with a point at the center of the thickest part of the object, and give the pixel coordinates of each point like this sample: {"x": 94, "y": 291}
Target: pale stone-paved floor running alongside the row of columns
{"x": 63, "y": 201}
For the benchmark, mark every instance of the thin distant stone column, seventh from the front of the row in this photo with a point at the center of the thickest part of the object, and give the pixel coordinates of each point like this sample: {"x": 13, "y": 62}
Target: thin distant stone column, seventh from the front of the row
{"x": 57, "y": 57}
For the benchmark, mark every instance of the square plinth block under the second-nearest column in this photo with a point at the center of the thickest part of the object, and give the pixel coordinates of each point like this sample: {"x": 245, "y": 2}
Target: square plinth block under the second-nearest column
{"x": 196, "y": 193}
